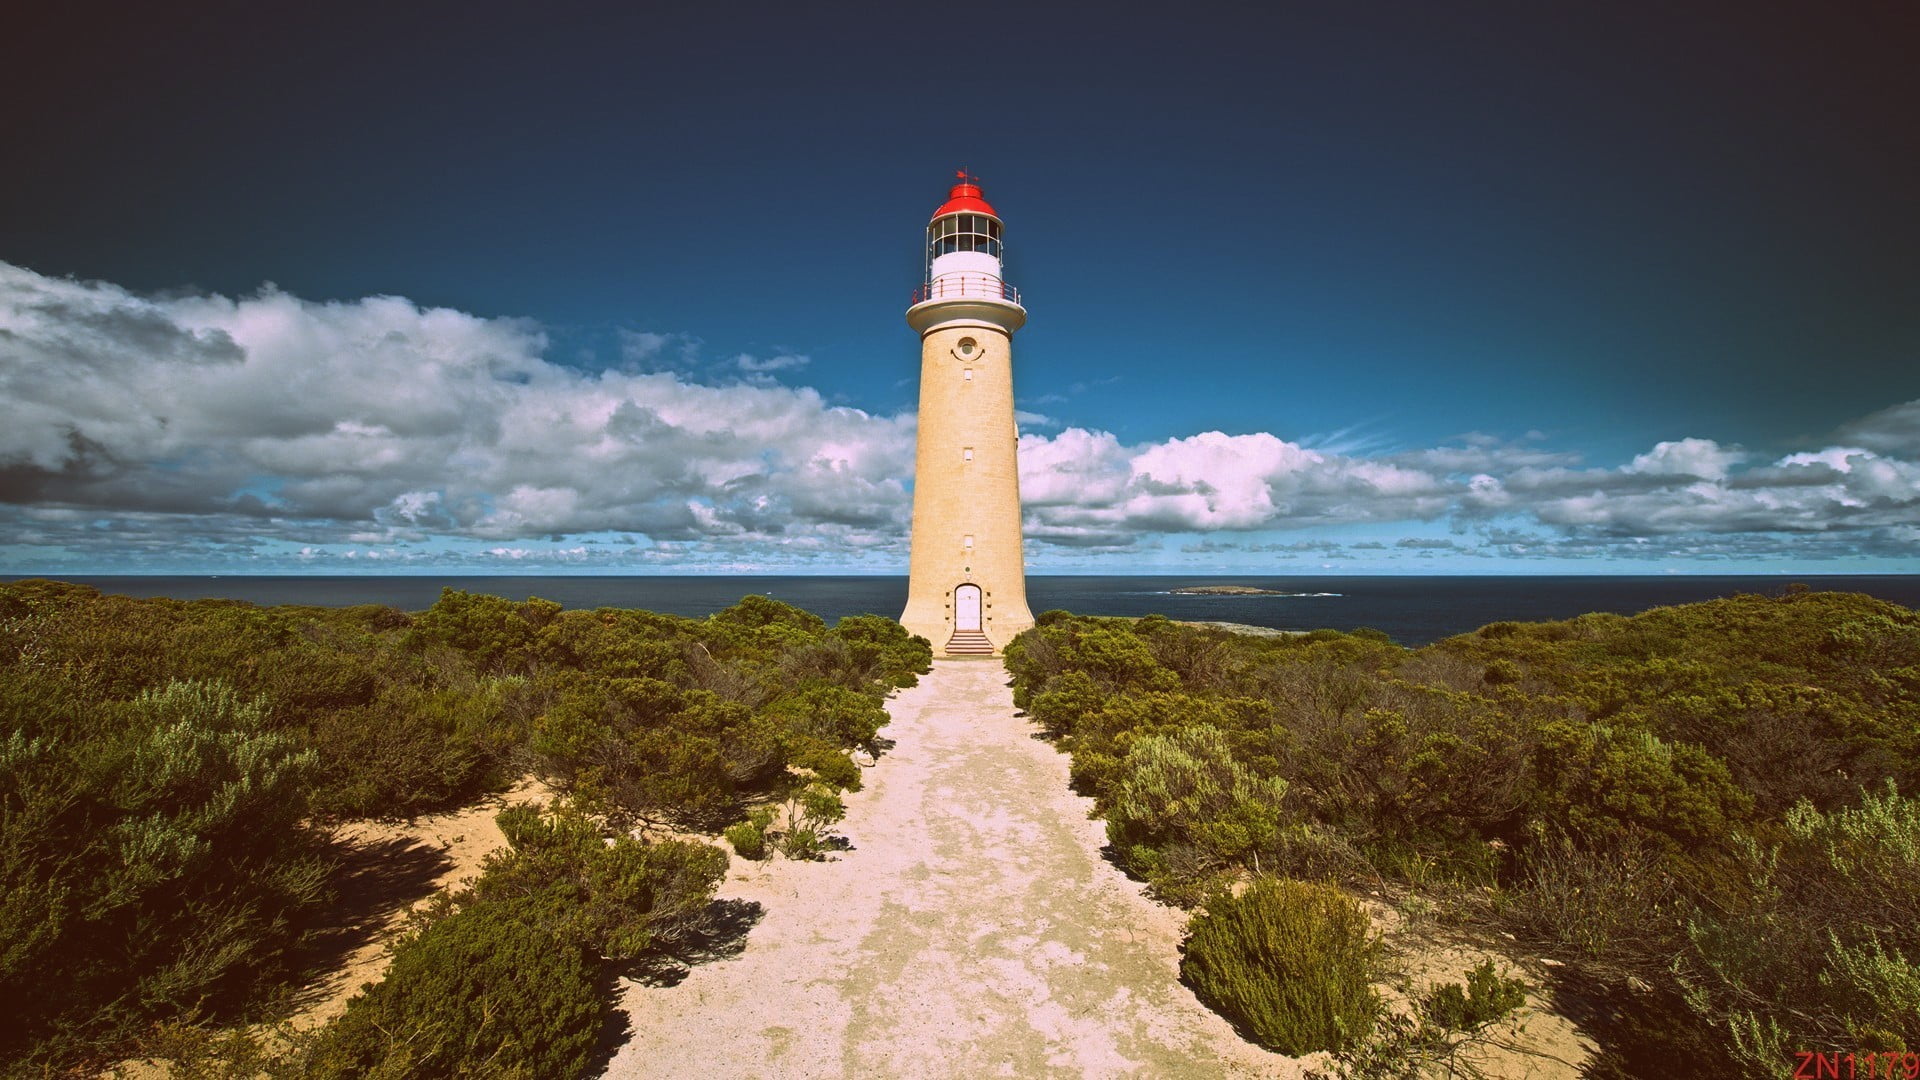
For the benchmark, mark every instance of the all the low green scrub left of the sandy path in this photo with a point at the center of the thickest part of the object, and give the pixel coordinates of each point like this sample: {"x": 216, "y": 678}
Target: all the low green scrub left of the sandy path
{"x": 168, "y": 773}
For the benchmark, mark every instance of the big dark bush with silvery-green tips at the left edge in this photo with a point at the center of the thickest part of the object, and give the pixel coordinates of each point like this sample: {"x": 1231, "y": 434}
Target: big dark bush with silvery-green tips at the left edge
{"x": 149, "y": 868}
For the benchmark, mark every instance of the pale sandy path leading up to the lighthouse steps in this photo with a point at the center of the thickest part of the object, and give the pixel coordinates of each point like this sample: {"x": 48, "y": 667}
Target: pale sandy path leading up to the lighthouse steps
{"x": 971, "y": 931}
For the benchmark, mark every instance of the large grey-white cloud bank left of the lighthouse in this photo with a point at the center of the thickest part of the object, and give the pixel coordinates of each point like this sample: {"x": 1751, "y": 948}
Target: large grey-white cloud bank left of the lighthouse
{"x": 412, "y": 422}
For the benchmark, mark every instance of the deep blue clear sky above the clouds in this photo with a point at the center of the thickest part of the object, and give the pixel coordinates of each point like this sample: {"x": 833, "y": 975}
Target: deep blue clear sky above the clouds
{"x": 1366, "y": 228}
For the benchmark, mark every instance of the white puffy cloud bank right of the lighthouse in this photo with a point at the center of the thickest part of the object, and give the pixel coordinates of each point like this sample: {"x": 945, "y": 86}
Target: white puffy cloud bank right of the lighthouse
{"x": 1681, "y": 499}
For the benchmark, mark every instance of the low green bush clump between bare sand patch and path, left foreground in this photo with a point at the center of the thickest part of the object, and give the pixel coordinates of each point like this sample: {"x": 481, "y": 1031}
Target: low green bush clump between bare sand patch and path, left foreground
{"x": 502, "y": 979}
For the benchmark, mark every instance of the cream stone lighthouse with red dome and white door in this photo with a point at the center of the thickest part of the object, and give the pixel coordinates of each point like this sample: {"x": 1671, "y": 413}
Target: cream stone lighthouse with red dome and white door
{"x": 969, "y": 579}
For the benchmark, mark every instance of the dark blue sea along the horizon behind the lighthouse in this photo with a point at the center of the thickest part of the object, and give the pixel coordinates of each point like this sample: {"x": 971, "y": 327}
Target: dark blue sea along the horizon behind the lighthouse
{"x": 1412, "y": 610}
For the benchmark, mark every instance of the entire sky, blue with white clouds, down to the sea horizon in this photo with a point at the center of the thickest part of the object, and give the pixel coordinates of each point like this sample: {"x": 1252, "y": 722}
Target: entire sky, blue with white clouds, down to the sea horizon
{"x": 1312, "y": 287}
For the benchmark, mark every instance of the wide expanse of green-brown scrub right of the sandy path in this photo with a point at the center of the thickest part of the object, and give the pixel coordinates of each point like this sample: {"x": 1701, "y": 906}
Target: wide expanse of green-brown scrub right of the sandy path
{"x": 1704, "y": 814}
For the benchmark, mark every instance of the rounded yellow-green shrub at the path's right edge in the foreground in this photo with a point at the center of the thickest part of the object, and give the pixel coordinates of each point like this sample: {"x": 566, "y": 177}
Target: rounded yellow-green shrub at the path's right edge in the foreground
{"x": 1287, "y": 962}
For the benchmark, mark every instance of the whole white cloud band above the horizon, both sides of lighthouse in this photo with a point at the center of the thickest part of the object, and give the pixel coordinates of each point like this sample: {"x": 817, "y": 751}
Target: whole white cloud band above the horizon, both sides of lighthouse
{"x": 274, "y": 433}
